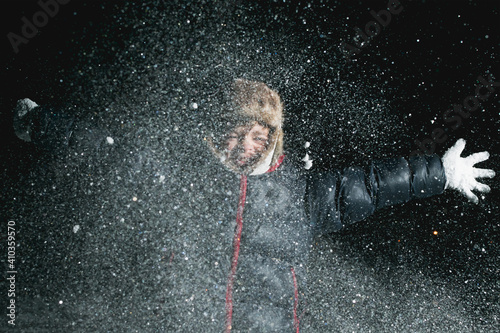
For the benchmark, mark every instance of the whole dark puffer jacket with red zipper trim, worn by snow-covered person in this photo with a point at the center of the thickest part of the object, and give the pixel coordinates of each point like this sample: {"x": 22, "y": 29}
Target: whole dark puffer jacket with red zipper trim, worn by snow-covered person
{"x": 257, "y": 278}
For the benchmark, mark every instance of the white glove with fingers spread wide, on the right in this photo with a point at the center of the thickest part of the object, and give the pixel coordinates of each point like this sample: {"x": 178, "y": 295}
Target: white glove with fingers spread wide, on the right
{"x": 461, "y": 174}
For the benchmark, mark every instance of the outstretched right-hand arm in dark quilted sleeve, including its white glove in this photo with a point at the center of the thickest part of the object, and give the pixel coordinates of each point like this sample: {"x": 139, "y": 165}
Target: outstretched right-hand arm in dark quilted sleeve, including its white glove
{"x": 341, "y": 197}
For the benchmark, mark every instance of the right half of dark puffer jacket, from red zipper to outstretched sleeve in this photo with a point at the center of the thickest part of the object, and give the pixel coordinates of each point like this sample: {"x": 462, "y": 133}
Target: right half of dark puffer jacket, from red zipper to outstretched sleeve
{"x": 287, "y": 207}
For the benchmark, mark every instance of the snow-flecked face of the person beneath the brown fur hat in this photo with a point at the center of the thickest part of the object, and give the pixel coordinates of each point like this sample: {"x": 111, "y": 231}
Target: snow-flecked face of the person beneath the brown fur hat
{"x": 245, "y": 145}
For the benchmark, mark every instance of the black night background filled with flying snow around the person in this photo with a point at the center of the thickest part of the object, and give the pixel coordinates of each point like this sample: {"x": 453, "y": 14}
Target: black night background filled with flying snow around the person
{"x": 90, "y": 226}
